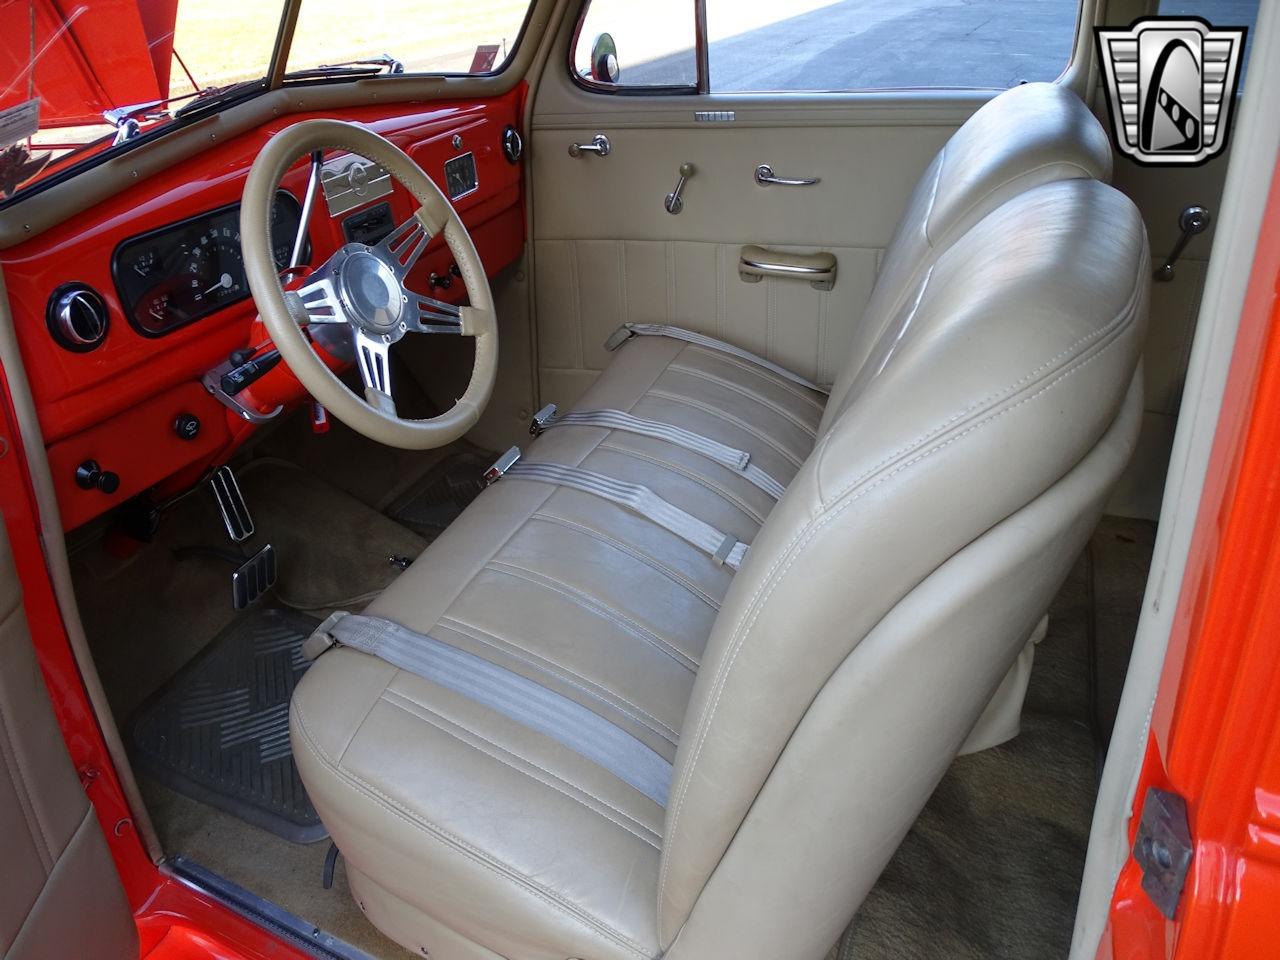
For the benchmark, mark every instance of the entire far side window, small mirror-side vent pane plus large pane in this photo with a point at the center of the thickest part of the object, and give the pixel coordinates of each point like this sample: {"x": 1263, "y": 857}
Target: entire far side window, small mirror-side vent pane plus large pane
{"x": 820, "y": 47}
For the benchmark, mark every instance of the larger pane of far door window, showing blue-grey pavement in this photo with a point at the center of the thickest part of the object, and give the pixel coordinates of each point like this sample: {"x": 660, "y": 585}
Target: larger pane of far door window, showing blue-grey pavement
{"x": 817, "y": 45}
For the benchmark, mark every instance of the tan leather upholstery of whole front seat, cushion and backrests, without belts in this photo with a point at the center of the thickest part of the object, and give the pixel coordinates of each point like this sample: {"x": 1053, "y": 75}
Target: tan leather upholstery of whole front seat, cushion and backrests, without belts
{"x": 812, "y": 701}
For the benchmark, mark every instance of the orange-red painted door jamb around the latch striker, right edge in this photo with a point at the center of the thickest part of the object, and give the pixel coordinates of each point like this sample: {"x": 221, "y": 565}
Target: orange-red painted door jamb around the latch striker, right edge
{"x": 1215, "y": 735}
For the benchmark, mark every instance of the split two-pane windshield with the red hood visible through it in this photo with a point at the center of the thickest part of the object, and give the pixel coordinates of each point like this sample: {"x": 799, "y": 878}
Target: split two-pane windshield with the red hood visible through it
{"x": 77, "y": 79}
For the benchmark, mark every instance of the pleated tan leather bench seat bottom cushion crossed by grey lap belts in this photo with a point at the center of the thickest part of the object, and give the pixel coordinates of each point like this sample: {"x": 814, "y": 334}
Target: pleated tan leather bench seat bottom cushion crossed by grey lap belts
{"x": 460, "y": 812}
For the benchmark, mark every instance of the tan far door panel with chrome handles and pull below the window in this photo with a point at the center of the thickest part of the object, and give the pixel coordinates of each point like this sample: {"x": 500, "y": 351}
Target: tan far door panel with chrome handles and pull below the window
{"x": 609, "y": 253}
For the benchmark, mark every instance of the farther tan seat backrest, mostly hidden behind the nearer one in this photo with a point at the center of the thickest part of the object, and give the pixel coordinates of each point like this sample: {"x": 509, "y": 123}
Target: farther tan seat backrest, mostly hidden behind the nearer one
{"x": 1031, "y": 135}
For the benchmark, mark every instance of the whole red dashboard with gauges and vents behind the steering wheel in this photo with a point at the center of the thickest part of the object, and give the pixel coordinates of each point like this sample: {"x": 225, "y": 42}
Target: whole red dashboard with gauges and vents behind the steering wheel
{"x": 125, "y": 310}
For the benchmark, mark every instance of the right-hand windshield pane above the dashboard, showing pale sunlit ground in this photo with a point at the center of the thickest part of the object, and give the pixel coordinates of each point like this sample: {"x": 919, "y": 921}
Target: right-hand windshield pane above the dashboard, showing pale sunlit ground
{"x": 423, "y": 36}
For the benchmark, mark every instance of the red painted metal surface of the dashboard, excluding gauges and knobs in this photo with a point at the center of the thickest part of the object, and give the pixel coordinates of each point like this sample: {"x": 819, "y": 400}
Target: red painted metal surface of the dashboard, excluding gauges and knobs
{"x": 112, "y": 404}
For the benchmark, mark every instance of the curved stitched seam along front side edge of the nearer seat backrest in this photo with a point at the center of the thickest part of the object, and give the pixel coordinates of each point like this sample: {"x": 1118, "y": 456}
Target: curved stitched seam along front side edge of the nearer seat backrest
{"x": 775, "y": 575}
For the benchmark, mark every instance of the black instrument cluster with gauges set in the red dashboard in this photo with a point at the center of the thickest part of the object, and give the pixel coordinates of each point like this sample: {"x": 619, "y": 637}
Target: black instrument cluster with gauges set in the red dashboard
{"x": 182, "y": 273}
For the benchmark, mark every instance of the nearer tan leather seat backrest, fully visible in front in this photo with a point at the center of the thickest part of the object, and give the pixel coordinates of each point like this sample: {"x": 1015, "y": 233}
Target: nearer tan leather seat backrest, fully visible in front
{"x": 944, "y": 505}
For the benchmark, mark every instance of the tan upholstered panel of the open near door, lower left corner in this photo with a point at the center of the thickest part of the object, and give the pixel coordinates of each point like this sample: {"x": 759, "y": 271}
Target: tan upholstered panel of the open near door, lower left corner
{"x": 60, "y": 894}
